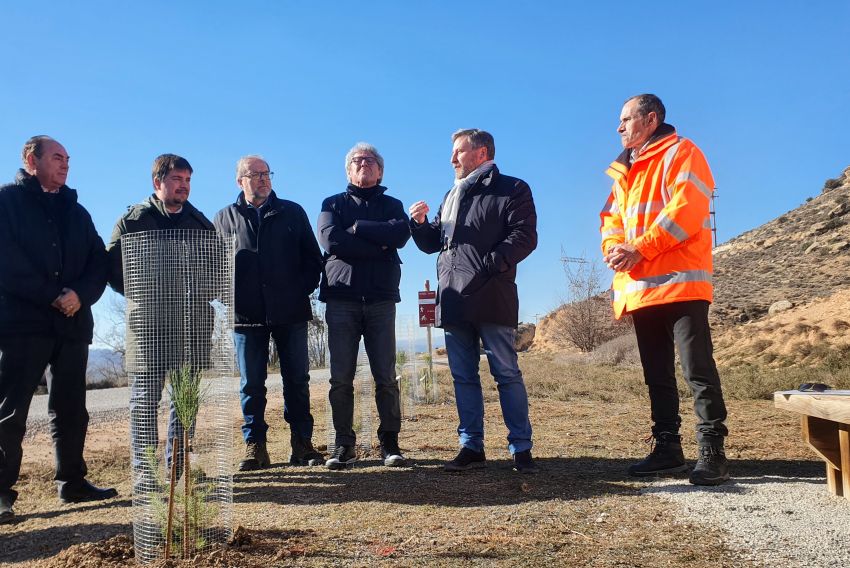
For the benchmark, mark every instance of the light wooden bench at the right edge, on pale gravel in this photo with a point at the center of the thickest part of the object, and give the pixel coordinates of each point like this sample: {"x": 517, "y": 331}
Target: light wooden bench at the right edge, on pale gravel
{"x": 825, "y": 424}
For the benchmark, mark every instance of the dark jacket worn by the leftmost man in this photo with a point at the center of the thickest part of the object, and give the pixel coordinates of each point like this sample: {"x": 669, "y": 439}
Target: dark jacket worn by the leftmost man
{"x": 47, "y": 242}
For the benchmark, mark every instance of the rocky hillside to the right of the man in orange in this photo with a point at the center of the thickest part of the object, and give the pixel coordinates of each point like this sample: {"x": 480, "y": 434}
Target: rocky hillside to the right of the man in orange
{"x": 782, "y": 290}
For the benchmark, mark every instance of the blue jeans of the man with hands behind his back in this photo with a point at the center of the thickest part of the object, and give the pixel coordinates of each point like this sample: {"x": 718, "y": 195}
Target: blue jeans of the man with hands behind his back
{"x": 252, "y": 352}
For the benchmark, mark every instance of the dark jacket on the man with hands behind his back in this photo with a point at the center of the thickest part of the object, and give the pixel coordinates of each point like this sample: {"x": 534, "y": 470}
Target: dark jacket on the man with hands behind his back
{"x": 277, "y": 267}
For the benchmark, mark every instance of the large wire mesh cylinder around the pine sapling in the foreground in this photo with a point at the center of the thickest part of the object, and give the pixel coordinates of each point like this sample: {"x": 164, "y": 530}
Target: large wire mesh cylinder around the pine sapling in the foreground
{"x": 179, "y": 317}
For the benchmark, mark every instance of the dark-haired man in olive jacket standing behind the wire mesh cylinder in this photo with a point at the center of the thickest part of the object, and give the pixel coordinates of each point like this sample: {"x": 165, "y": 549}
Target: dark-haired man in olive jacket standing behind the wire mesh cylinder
{"x": 156, "y": 338}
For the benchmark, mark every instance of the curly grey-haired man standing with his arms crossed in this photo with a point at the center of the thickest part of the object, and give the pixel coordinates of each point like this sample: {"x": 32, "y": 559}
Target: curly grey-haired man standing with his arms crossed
{"x": 361, "y": 231}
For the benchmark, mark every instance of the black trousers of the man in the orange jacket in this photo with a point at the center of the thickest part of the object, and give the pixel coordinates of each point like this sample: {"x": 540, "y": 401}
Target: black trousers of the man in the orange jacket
{"x": 685, "y": 325}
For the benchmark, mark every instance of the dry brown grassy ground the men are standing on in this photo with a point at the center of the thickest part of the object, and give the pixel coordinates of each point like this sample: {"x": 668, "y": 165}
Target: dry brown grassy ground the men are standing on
{"x": 581, "y": 510}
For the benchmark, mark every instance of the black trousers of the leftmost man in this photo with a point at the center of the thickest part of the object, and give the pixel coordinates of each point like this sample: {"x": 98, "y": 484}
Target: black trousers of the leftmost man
{"x": 23, "y": 360}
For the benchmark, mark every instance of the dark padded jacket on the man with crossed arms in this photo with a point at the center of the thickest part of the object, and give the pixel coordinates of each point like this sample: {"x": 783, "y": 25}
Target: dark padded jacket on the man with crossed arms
{"x": 361, "y": 231}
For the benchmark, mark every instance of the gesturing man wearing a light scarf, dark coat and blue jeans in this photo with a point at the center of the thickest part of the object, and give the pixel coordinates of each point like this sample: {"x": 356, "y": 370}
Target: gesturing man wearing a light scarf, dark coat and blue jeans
{"x": 486, "y": 225}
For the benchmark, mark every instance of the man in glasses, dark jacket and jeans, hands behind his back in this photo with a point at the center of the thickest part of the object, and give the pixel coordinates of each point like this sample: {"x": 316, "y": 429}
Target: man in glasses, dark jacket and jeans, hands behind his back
{"x": 278, "y": 264}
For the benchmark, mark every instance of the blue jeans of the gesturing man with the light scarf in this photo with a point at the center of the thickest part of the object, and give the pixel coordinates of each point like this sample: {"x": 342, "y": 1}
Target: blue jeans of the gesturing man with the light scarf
{"x": 462, "y": 347}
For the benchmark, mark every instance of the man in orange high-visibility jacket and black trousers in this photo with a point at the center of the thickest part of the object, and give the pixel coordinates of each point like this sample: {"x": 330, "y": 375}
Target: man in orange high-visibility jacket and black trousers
{"x": 656, "y": 236}
